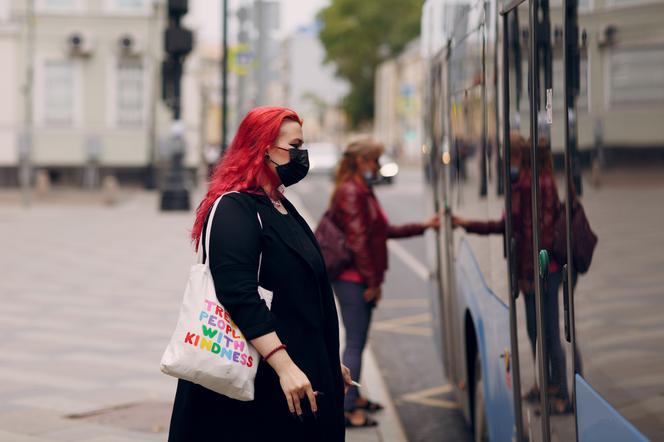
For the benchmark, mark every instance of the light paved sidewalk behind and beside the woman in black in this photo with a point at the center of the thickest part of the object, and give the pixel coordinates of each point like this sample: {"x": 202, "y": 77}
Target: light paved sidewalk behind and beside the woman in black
{"x": 89, "y": 297}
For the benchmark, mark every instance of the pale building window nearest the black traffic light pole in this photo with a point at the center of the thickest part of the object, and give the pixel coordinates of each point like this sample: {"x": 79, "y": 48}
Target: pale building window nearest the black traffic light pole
{"x": 130, "y": 92}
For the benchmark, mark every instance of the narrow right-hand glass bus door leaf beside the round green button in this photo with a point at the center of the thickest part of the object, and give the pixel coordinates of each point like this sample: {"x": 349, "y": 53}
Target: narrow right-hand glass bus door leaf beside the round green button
{"x": 555, "y": 86}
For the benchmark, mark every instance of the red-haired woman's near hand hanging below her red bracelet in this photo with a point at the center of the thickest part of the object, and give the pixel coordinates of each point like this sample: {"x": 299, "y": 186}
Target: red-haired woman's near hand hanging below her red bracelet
{"x": 294, "y": 383}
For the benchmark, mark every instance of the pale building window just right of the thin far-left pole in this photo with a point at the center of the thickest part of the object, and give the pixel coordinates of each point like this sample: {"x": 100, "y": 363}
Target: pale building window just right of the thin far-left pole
{"x": 58, "y": 93}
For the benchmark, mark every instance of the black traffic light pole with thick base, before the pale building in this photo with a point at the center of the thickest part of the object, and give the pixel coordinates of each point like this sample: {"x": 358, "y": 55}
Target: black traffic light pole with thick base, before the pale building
{"x": 178, "y": 42}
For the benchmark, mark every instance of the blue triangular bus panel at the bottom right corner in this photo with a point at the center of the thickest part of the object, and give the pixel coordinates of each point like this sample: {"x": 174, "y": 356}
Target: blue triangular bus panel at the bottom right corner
{"x": 597, "y": 421}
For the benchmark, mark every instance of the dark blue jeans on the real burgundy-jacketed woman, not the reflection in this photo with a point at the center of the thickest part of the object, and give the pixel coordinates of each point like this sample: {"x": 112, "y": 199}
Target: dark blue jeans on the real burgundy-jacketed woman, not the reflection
{"x": 356, "y": 316}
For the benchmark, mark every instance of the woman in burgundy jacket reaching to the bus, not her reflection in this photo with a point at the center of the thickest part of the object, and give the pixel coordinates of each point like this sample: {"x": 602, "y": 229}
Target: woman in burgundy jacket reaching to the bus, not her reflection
{"x": 358, "y": 213}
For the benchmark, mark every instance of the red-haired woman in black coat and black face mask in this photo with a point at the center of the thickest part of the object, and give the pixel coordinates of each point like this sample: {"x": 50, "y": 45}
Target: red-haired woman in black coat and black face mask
{"x": 299, "y": 384}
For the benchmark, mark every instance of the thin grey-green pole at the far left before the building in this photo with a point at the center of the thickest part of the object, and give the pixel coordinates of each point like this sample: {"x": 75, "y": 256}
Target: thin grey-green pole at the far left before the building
{"x": 25, "y": 143}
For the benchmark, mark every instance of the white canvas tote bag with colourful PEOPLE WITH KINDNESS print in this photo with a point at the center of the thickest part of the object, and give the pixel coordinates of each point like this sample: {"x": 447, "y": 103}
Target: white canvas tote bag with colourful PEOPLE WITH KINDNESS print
{"x": 207, "y": 348}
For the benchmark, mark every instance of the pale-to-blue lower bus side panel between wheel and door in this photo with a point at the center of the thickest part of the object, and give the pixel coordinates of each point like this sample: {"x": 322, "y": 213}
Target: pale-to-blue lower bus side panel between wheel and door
{"x": 491, "y": 321}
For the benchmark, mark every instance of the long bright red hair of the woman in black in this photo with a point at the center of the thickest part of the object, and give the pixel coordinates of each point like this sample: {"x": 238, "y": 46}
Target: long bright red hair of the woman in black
{"x": 243, "y": 166}
